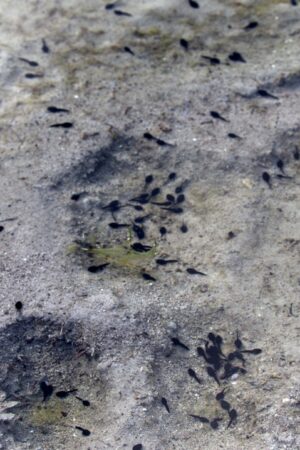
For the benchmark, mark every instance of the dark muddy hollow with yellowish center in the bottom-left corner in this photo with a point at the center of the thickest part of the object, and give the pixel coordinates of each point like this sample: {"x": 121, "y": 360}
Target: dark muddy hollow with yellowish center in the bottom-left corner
{"x": 35, "y": 350}
